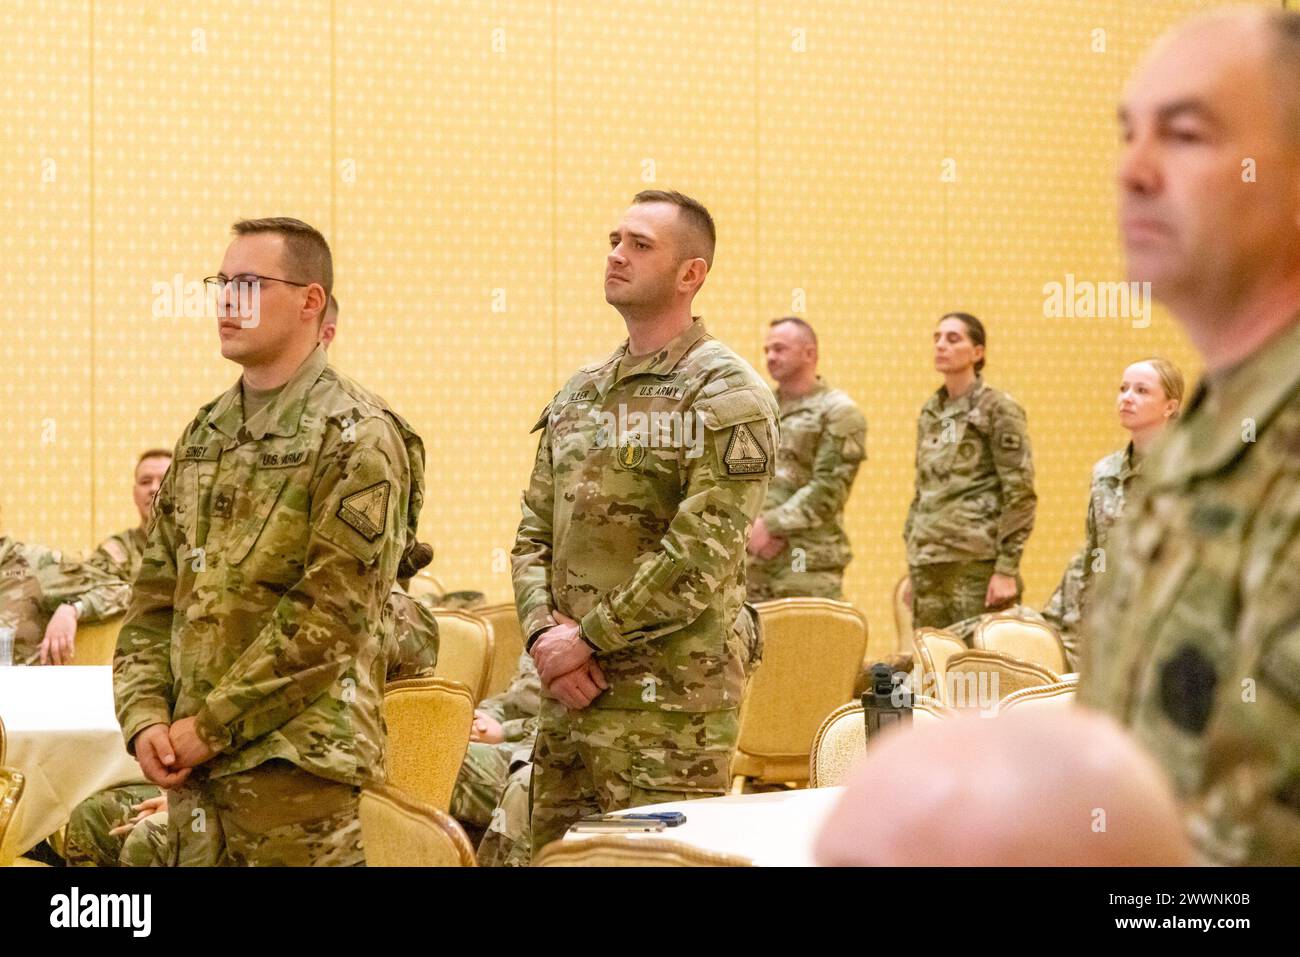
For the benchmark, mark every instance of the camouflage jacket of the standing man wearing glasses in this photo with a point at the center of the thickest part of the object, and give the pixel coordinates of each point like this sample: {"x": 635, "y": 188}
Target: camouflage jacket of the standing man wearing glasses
{"x": 271, "y": 556}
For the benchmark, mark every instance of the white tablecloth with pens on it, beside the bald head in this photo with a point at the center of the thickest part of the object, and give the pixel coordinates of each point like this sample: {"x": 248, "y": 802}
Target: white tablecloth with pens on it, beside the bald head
{"x": 774, "y": 830}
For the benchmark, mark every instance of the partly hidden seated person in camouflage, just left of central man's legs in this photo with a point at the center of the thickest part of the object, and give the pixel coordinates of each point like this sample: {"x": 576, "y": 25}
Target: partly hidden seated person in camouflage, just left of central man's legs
{"x": 501, "y": 748}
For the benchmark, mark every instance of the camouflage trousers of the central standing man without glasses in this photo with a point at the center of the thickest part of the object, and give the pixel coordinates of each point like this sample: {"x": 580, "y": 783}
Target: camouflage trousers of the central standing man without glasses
{"x": 604, "y": 760}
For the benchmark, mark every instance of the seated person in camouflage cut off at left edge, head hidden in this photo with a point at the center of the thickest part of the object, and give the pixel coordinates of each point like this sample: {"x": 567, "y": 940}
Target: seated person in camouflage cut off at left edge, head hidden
{"x": 40, "y": 588}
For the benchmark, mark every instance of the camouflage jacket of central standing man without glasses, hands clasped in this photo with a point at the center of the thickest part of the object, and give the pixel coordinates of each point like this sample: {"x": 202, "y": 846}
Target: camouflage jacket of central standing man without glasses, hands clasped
{"x": 644, "y": 491}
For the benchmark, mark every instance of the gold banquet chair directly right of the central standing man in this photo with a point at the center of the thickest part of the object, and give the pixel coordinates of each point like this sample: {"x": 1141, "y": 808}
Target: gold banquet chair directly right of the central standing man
{"x": 813, "y": 652}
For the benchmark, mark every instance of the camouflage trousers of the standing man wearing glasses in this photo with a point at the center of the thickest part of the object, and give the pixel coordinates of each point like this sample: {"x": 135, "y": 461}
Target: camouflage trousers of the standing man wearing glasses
{"x": 275, "y": 815}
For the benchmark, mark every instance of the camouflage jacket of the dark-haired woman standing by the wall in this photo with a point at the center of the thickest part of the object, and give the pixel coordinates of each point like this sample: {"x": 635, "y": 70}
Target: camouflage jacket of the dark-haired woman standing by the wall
{"x": 976, "y": 493}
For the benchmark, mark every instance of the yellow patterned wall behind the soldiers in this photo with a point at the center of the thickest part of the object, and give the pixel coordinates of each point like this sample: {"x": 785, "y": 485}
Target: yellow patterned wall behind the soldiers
{"x": 870, "y": 166}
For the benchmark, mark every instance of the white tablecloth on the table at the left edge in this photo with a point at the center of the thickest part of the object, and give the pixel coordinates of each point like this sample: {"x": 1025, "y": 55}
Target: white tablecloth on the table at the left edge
{"x": 64, "y": 737}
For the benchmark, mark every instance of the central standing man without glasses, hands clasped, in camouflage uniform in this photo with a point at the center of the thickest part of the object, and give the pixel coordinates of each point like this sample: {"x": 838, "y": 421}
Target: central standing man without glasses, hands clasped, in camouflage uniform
{"x": 630, "y": 562}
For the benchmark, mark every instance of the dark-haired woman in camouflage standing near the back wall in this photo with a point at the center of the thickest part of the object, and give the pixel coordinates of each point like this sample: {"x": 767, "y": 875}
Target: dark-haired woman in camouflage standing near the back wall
{"x": 974, "y": 505}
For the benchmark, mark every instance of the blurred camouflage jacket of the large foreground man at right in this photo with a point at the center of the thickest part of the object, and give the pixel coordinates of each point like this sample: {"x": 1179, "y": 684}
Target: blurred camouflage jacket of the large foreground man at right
{"x": 1193, "y": 636}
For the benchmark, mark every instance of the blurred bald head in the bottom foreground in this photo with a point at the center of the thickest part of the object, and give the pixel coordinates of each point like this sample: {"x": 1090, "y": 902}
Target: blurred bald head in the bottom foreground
{"x": 1061, "y": 787}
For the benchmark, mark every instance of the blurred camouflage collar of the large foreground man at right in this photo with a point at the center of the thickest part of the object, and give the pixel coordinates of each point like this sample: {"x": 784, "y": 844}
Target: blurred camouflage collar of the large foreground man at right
{"x": 1210, "y": 436}
